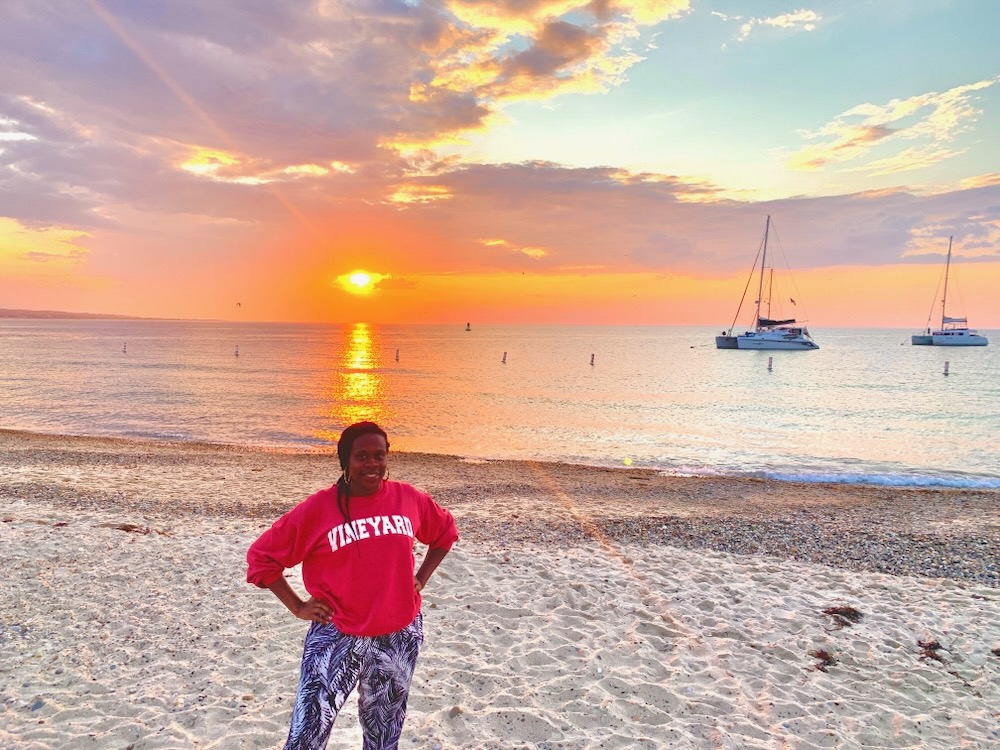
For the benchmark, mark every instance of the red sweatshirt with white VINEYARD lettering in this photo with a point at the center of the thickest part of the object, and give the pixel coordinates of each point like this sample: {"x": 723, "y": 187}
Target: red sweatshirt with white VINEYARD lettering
{"x": 363, "y": 569}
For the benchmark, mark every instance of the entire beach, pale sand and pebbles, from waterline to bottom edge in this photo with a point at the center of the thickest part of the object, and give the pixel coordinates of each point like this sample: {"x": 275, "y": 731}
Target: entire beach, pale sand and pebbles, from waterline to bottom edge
{"x": 582, "y": 608}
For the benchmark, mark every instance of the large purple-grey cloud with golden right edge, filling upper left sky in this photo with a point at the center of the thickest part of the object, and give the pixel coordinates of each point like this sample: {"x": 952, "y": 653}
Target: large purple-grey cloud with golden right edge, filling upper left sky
{"x": 280, "y": 89}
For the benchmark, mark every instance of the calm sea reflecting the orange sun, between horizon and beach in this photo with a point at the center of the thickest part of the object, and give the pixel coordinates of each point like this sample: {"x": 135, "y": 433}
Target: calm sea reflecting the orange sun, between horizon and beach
{"x": 865, "y": 408}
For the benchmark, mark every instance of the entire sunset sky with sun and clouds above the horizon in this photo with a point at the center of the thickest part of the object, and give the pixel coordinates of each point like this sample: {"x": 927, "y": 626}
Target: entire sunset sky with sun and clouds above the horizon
{"x": 527, "y": 161}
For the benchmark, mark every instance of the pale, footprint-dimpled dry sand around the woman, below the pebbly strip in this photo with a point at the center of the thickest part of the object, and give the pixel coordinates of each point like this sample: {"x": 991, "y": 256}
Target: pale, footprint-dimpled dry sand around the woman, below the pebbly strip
{"x": 119, "y": 639}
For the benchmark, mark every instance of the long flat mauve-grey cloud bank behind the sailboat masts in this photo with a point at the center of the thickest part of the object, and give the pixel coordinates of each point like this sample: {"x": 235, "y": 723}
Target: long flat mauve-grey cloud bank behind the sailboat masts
{"x": 544, "y": 219}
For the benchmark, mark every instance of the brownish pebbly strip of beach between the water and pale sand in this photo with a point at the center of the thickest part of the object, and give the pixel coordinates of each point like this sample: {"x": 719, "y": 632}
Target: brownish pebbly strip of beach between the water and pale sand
{"x": 503, "y": 505}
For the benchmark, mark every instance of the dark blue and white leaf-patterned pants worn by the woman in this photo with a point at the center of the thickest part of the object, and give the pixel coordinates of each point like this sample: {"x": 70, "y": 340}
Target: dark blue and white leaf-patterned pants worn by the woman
{"x": 334, "y": 663}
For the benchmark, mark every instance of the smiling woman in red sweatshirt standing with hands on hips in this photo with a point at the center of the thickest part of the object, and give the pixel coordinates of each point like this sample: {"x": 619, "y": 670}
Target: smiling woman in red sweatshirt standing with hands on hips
{"x": 355, "y": 543}
